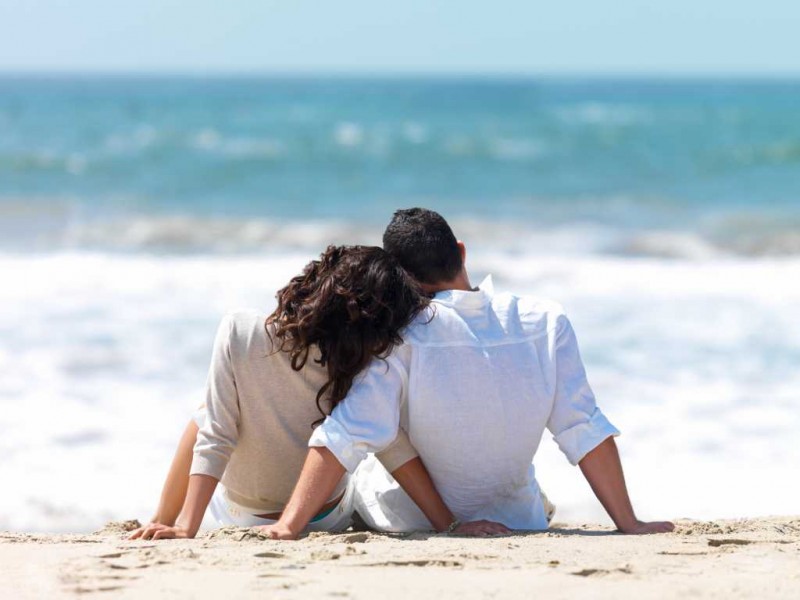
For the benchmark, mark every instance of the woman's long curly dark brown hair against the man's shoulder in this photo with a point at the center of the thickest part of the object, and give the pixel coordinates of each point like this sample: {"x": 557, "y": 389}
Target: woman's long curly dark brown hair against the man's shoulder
{"x": 351, "y": 304}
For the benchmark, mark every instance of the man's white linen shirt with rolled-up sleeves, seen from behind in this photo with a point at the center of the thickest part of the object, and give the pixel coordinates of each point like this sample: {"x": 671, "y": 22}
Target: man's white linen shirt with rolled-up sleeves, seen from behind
{"x": 476, "y": 381}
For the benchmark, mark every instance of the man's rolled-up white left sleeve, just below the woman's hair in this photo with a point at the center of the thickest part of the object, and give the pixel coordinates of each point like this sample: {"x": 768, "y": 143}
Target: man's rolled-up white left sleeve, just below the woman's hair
{"x": 367, "y": 420}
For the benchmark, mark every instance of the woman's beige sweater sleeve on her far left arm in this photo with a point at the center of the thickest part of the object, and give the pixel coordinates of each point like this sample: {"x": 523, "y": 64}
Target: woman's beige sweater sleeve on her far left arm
{"x": 219, "y": 431}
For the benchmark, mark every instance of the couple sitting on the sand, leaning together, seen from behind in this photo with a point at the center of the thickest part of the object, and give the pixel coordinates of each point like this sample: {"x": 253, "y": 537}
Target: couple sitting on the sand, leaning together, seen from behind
{"x": 391, "y": 352}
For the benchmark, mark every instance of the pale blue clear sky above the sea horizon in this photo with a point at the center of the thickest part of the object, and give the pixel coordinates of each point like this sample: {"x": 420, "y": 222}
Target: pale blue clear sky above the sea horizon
{"x": 666, "y": 37}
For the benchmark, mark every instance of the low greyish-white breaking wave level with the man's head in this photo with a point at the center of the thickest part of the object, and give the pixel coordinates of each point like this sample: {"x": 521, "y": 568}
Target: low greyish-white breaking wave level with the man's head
{"x": 193, "y": 234}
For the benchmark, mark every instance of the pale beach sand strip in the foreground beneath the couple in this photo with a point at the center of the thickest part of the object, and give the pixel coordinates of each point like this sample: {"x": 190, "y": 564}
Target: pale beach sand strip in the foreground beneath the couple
{"x": 753, "y": 558}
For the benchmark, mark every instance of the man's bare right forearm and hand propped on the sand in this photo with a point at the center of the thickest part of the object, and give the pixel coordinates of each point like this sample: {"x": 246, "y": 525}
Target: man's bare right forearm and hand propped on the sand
{"x": 603, "y": 470}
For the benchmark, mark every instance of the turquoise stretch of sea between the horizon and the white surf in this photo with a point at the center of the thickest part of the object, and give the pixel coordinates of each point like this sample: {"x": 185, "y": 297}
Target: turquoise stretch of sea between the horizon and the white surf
{"x": 717, "y": 159}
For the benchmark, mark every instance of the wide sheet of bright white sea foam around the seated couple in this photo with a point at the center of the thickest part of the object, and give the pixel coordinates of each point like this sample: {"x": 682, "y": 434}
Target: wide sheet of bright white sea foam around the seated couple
{"x": 103, "y": 358}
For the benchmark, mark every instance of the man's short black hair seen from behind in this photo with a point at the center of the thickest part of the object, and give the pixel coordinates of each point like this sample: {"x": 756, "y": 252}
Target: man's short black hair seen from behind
{"x": 423, "y": 243}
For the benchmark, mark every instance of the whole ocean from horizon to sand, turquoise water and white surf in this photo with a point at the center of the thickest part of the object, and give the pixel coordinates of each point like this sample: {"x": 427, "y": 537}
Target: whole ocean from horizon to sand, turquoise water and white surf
{"x": 663, "y": 214}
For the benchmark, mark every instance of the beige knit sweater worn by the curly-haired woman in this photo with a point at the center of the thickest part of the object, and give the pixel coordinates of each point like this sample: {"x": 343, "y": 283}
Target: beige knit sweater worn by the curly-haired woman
{"x": 259, "y": 416}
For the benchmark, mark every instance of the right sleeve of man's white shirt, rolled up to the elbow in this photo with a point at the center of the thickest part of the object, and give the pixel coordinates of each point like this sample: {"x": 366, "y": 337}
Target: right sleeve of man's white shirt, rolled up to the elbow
{"x": 577, "y": 424}
